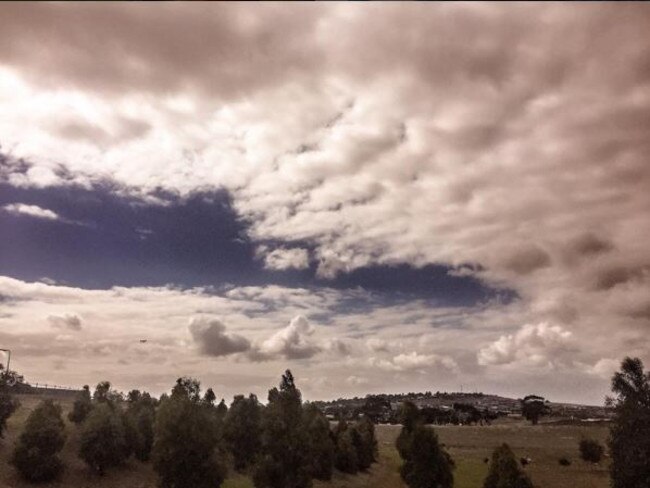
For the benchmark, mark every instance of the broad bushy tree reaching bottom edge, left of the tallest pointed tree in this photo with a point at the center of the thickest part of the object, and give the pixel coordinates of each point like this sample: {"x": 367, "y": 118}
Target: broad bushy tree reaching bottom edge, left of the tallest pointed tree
{"x": 185, "y": 450}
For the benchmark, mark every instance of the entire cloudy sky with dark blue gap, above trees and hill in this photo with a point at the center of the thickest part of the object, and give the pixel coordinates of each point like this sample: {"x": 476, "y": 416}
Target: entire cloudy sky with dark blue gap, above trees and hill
{"x": 381, "y": 197}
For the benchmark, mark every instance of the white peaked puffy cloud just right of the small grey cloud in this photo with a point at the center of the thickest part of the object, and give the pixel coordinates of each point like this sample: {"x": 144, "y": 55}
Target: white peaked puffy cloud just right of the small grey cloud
{"x": 292, "y": 342}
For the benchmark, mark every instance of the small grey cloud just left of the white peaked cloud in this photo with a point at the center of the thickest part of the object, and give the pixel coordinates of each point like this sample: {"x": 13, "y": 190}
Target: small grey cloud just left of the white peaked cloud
{"x": 212, "y": 338}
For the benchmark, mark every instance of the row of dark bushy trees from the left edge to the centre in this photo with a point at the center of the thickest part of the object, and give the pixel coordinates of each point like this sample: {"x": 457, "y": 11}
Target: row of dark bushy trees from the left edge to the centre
{"x": 191, "y": 440}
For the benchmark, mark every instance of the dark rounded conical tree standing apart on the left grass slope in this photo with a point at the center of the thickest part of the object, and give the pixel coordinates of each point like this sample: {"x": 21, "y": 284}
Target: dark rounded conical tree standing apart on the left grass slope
{"x": 36, "y": 453}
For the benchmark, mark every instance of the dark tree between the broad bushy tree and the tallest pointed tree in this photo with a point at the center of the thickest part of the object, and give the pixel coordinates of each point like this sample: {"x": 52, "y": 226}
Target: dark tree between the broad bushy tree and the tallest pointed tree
{"x": 242, "y": 430}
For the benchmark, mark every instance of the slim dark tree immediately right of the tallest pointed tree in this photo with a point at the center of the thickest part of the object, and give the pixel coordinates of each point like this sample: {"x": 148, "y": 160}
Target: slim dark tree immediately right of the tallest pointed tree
{"x": 320, "y": 444}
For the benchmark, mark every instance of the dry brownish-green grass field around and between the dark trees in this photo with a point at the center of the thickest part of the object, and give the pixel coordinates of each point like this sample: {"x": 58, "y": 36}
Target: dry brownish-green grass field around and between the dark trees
{"x": 468, "y": 446}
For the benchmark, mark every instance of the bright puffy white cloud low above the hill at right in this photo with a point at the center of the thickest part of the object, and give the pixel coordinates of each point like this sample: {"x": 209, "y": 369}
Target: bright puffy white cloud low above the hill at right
{"x": 541, "y": 344}
